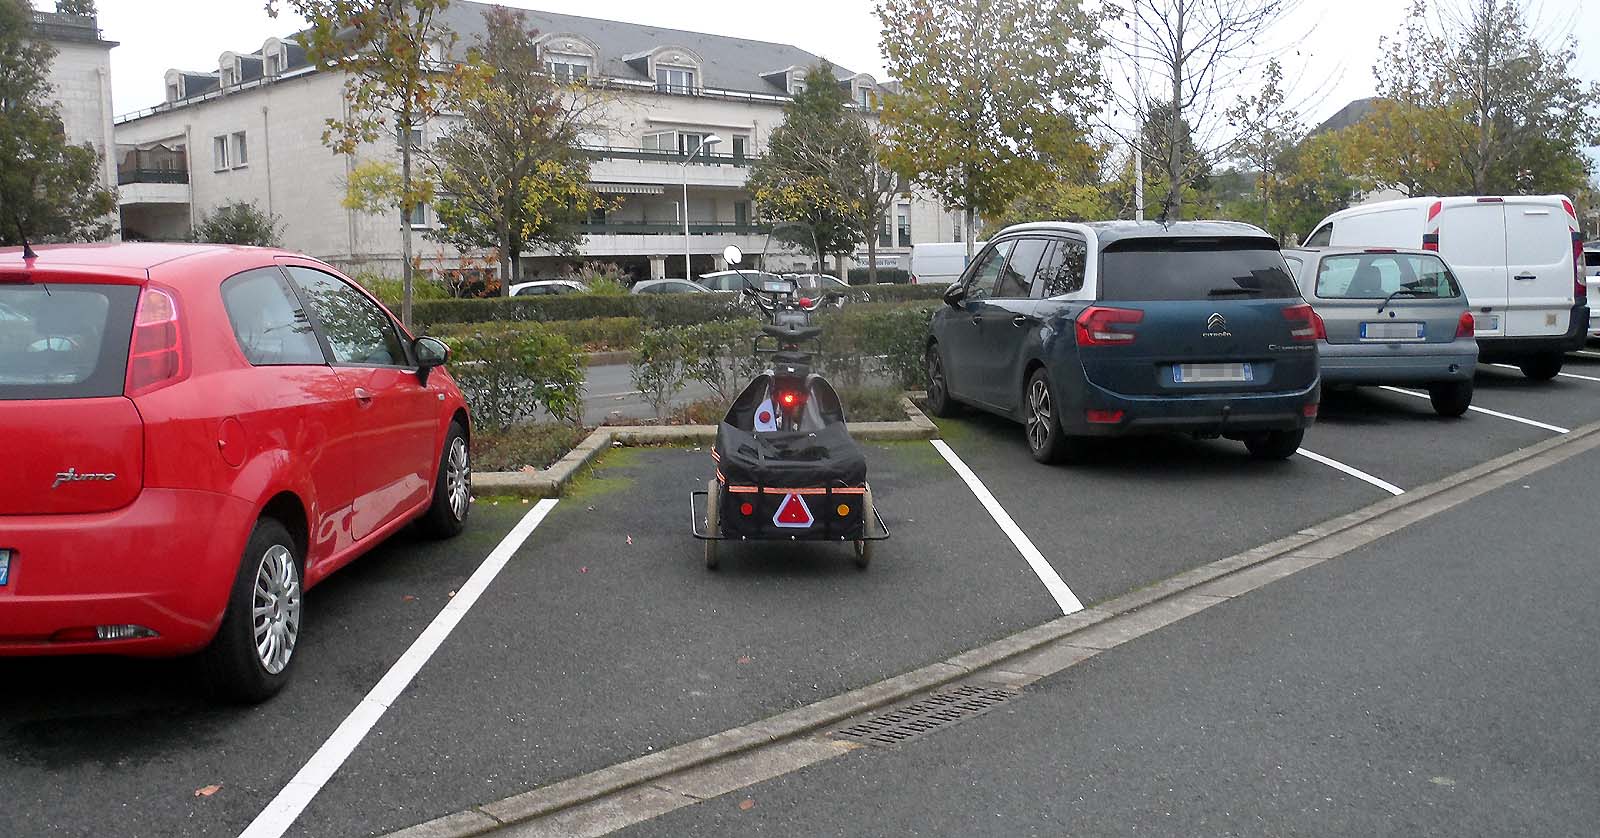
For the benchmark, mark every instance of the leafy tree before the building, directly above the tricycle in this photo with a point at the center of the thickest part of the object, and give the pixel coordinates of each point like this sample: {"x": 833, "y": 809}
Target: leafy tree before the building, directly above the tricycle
{"x": 806, "y": 174}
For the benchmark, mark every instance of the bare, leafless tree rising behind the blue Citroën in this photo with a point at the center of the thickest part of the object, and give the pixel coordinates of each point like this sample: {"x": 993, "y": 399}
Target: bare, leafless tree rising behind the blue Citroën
{"x": 1198, "y": 50}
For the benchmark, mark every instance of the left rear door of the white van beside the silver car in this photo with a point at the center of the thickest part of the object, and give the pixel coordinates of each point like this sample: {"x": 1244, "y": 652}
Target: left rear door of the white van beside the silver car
{"x": 1473, "y": 242}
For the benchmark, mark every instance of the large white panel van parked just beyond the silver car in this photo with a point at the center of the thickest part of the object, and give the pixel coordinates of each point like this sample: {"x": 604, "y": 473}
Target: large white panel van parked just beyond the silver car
{"x": 1519, "y": 258}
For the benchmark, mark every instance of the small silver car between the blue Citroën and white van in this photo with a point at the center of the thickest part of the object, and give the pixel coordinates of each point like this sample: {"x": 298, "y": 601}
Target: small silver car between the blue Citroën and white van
{"x": 1394, "y": 317}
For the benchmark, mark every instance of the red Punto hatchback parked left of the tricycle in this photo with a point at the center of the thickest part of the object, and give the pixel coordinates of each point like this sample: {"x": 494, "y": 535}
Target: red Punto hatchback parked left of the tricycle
{"x": 196, "y": 436}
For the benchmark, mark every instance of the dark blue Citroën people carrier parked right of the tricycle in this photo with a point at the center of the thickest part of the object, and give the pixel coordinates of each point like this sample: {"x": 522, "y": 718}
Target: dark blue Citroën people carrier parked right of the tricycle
{"x": 1116, "y": 329}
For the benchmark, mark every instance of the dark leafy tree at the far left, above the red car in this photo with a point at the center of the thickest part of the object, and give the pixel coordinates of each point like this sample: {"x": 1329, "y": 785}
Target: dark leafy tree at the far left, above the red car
{"x": 50, "y": 190}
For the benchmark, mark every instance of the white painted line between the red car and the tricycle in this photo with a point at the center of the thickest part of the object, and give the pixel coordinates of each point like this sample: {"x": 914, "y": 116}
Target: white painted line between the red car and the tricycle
{"x": 281, "y": 815}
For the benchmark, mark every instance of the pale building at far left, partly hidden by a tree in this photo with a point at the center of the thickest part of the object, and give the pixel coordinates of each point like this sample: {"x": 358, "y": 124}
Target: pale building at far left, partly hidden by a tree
{"x": 81, "y": 82}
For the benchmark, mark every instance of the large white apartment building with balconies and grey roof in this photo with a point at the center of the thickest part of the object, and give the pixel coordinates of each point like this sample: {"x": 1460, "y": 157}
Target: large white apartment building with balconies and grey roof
{"x": 252, "y": 130}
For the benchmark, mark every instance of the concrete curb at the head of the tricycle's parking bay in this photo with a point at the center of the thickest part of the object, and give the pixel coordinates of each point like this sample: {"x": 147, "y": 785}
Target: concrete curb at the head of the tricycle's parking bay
{"x": 553, "y": 482}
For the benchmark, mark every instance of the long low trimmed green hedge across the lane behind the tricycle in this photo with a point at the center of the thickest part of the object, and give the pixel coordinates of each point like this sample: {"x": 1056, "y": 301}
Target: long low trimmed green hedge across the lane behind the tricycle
{"x": 650, "y": 309}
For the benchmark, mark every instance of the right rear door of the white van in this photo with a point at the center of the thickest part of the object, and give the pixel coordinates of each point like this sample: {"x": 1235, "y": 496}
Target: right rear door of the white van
{"x": 1540, "y": 265}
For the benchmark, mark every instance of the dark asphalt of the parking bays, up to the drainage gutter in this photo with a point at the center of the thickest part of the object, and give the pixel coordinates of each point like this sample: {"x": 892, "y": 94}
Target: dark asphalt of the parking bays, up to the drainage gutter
{"x": 604, "y": 637}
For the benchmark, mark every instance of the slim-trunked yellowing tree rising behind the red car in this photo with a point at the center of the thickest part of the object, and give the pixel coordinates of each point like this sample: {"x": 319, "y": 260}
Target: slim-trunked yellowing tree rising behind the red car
{"x": 393, "y": 57}
